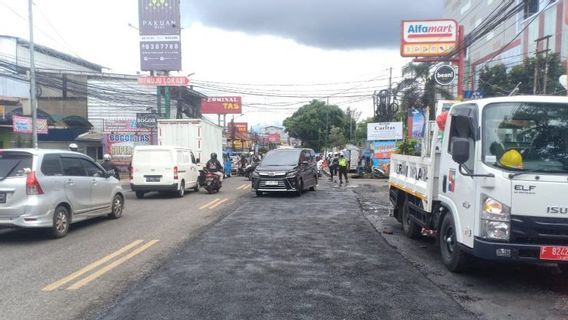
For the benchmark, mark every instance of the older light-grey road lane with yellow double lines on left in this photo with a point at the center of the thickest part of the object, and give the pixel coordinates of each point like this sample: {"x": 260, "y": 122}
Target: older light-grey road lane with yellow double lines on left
{"x": 78, "y": 276}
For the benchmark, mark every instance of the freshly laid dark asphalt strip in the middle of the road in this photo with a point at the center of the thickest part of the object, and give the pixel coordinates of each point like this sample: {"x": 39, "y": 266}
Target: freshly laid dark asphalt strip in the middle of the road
{"x": 283, "y": 257}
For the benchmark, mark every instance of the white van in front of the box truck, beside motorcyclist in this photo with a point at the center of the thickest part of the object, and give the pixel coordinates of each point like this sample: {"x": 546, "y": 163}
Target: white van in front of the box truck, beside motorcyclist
{"x": 163, "y": 168}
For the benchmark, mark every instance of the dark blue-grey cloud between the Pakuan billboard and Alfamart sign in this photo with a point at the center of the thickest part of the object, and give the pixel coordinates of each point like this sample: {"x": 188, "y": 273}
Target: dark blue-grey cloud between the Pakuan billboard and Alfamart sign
{"x": 330, "y": 24}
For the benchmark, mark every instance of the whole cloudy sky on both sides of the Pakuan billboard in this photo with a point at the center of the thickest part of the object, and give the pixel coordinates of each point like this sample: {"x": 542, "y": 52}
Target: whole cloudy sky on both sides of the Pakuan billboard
{"x": 278, "y": 54}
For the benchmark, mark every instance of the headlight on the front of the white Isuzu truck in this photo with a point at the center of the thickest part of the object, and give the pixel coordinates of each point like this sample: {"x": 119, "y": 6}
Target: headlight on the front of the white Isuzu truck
{"x": 495, "y": 219}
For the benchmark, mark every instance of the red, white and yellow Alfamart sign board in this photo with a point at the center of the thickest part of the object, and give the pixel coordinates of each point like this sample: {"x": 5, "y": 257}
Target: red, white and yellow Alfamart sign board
{"x": 428, "y": 38}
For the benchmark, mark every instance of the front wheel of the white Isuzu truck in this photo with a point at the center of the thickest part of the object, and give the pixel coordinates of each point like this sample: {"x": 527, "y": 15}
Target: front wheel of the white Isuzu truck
{"x": 455, "y": 259}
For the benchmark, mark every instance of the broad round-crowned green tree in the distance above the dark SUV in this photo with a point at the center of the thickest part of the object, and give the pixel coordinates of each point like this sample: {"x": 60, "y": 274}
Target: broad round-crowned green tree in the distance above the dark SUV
{"x": 312, "y": 123}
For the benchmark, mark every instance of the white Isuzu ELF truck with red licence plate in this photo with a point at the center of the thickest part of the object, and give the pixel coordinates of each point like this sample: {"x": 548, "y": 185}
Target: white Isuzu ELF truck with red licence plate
{"x": 492, "y": 182}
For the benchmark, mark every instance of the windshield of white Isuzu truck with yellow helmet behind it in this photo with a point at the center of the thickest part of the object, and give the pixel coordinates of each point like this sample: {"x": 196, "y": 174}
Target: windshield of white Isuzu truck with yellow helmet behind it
{"x": 526, "y": 136}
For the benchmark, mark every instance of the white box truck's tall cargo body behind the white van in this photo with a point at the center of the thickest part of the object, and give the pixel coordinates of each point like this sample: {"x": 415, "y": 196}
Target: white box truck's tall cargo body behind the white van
{"x": 201, "y": 136}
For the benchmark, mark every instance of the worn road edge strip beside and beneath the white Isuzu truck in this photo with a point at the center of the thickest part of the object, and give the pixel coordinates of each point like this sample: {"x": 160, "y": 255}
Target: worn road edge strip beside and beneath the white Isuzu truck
{"x": 490, "y": 290}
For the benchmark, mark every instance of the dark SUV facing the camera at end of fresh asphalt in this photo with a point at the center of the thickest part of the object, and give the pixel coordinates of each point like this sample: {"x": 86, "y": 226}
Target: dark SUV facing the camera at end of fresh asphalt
{"x": 286, "y": 170}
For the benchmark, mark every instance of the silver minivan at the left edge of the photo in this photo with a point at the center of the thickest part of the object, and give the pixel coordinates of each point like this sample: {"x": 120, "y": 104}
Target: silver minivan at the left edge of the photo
{"x": 42, "y": 188}
